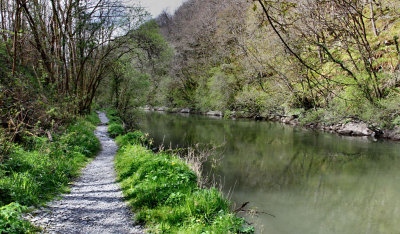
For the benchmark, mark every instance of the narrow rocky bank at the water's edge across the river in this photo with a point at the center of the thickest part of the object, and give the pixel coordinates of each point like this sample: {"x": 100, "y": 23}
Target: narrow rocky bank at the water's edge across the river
{"x": 343, "y": 125}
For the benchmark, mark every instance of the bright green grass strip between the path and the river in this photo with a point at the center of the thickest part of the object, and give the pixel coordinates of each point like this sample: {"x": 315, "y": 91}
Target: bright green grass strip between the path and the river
{"x": 163, "y": 192}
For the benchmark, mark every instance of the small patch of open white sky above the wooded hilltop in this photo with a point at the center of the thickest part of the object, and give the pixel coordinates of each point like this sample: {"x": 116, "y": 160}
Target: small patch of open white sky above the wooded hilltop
{"x": 155, "y": 7}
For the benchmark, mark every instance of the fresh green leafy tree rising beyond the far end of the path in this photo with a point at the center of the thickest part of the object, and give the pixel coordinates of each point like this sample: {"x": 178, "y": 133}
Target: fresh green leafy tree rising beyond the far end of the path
{"x": 138, "y": 76}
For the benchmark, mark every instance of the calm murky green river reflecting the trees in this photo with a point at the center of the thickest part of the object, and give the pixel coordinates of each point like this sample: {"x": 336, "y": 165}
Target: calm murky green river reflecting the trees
{"x": 307, "y": 181}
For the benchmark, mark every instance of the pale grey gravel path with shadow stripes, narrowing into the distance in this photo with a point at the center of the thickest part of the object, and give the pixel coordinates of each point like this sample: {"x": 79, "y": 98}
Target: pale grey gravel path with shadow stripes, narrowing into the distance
{"x": 95, "y": 203}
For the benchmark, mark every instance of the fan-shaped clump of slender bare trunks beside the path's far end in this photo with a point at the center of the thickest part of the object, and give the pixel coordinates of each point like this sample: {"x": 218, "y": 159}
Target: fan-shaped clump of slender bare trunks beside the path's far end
{"x": 74, "y": 40}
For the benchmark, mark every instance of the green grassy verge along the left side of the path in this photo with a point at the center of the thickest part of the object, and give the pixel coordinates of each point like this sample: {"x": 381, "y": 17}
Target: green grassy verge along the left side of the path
{"x": 40, "y": 169}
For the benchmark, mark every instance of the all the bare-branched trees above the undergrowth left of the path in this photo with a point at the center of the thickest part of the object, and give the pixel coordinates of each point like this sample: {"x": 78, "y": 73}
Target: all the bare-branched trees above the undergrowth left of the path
{"x": 57, "y": 41}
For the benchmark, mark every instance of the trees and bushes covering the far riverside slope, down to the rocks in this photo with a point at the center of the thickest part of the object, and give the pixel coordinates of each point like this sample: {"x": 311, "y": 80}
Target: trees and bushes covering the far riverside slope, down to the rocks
{"x": 329, "y": 62}
